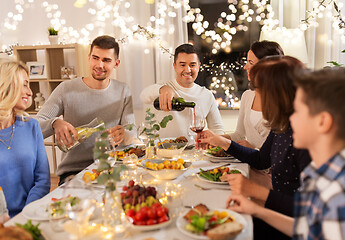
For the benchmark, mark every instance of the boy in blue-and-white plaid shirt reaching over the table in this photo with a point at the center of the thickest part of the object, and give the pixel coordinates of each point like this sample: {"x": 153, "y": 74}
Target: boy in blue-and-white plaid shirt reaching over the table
{"x": 319, "y": 126}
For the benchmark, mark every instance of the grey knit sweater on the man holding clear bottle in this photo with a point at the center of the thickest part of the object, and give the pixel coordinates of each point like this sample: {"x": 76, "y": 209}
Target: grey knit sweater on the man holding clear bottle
{"x": 79, "y": 105}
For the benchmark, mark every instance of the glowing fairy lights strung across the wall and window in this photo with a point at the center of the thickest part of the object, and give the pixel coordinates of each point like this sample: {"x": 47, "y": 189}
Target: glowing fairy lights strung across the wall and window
{"x": 234, "y": 19}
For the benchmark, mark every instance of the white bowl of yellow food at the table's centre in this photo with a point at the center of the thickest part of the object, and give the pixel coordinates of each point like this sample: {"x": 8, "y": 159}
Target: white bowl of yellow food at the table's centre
{"x": 165, "y": 169}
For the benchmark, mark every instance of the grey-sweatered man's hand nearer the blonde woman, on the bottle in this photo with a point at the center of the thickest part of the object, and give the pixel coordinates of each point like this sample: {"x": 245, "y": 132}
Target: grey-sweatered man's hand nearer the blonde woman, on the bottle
{"x": 64, "y": 131}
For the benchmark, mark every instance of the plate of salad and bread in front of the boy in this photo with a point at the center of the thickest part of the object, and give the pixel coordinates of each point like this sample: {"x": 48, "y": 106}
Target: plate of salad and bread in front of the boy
{"x": 203, "y": 223}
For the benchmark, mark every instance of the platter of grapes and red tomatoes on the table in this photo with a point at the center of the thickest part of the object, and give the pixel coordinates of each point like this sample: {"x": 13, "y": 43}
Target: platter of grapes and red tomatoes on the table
{"x": 142, "y": 208}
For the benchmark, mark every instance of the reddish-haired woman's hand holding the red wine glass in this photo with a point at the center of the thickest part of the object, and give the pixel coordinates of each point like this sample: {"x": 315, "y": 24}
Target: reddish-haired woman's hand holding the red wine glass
{"x": 208, "y": 137}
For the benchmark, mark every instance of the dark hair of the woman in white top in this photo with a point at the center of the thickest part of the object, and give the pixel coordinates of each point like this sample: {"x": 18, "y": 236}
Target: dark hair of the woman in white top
{"x": 266, "y": 48}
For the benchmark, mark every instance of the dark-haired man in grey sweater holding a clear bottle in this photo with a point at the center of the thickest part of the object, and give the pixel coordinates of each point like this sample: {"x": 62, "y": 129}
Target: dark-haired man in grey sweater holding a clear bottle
{"x": 81, "y": 100}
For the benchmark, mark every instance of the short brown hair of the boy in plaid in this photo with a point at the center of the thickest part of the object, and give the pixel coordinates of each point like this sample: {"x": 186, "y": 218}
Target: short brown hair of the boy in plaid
{"x": 324, "y": 90}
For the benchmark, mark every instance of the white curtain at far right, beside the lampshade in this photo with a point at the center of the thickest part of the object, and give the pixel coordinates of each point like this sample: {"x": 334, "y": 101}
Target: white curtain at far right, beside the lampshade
{"x": 323, "y": 42}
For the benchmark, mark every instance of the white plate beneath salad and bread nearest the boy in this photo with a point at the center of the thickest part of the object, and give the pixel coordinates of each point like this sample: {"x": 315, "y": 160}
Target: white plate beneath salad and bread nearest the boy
{"x": 181, "y": 223}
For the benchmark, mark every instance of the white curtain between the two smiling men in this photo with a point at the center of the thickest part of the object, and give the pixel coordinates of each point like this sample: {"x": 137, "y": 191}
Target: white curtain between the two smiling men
{"x": 143, "y": 62}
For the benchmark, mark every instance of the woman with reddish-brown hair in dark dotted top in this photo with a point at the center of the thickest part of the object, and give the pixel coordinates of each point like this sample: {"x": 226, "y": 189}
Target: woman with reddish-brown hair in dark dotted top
{"x": 273, "y": 78}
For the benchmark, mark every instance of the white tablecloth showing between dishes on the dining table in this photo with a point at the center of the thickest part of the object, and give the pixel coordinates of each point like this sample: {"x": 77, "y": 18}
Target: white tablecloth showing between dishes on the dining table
{"x": 192, "y": 196}
